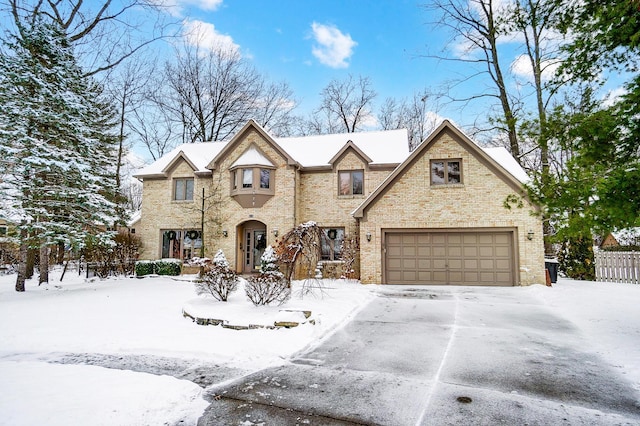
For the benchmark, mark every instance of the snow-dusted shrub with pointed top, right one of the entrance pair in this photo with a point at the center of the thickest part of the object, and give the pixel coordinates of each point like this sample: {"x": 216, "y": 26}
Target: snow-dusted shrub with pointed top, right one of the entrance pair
{"x": 271, "y": 286}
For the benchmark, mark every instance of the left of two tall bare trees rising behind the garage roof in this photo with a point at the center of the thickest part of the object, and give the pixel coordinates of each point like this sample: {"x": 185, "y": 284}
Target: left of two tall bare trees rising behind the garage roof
{"x": 475, "y": 26}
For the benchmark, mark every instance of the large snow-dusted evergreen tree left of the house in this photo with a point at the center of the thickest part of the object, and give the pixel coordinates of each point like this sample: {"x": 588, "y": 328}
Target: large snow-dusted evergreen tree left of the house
{"x": 56, "y": 140}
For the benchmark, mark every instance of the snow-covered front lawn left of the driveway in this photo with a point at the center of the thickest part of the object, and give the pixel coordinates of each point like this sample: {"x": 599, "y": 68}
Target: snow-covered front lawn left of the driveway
{"x": 129, "y": 317}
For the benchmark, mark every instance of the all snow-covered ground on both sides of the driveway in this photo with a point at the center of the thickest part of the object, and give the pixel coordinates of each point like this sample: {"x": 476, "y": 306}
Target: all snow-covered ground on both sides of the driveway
{"x": 56, "y": 340}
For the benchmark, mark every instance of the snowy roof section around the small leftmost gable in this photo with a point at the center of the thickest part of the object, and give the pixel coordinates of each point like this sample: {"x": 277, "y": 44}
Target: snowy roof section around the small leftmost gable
{"x": 197, "y": 154}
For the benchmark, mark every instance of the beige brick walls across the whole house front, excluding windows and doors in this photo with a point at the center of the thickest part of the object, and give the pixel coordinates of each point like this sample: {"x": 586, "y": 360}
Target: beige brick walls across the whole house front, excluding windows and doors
{"x": 410, "y": 202}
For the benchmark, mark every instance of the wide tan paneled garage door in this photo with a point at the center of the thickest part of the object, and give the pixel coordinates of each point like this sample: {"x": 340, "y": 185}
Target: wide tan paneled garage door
{"x": 456, "y": 258}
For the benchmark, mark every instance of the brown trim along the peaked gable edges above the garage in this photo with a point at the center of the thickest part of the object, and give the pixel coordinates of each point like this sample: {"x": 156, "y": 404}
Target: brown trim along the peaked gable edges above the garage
{"x": 463, "y": 140}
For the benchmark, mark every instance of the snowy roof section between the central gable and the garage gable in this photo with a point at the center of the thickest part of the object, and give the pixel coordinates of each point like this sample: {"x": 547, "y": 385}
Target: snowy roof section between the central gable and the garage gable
{"x": 382, "y": 147}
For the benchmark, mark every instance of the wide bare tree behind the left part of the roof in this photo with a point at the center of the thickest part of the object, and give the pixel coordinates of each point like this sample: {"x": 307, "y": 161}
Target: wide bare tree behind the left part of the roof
{"x": 211, "y": 93}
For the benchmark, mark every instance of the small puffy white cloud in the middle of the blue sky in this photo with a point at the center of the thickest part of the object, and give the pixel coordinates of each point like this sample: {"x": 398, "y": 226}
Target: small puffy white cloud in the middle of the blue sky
{"x": 333, "y": 48}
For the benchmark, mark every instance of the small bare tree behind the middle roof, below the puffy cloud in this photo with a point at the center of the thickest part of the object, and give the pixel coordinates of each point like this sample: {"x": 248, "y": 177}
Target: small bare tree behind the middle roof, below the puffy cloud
{"x": 346, "y": 105}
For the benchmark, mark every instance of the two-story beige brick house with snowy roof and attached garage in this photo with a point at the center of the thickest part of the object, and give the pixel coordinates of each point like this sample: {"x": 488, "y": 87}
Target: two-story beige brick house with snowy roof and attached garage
{"x": 436, "y": 215}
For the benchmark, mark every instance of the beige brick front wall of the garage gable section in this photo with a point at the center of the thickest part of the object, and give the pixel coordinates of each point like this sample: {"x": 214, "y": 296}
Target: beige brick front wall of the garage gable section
{"x": 478, "y": 203}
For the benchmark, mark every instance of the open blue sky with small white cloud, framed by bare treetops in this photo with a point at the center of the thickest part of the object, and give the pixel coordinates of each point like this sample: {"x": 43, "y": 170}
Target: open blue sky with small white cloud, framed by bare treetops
{"x": 309, "y": 43}
